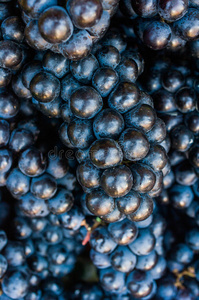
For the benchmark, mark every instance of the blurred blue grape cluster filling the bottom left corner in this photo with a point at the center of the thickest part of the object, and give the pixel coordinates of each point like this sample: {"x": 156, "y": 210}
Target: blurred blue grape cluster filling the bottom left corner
{"x": 41, "y": 252}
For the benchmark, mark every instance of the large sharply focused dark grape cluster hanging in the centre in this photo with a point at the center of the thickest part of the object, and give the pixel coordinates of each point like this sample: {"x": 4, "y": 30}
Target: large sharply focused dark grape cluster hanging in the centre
{"x": 118, "y": 137}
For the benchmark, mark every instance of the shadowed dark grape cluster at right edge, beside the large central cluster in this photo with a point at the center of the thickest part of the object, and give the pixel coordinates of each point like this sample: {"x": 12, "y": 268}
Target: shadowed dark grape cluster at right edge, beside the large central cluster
{"x": 174, "y": 92}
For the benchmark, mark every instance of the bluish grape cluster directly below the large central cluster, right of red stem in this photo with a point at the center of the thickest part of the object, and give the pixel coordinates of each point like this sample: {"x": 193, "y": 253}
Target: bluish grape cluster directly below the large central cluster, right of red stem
{"x": 129, "y": 257}
